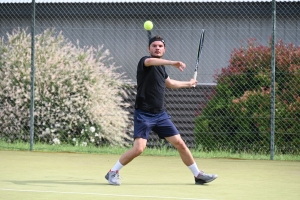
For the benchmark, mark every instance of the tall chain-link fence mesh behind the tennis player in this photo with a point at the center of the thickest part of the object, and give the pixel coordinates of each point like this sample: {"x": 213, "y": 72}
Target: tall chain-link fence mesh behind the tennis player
{"x": 230, "y": 109}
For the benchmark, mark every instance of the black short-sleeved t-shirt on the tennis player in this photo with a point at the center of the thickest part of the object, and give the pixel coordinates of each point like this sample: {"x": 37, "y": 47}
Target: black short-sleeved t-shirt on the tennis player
{"x": 150, "y": 87}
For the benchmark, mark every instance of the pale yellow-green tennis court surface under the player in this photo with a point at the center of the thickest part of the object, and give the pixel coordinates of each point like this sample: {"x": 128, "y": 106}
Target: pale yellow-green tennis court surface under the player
{"x": 36, "y": 175}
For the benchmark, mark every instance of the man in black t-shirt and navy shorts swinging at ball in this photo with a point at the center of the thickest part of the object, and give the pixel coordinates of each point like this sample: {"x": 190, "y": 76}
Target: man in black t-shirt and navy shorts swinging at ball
{"x": 149, "y": 114}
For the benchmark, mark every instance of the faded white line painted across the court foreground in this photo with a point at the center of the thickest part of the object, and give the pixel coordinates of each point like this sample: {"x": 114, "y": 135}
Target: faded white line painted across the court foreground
{"x": 99, "y": 194}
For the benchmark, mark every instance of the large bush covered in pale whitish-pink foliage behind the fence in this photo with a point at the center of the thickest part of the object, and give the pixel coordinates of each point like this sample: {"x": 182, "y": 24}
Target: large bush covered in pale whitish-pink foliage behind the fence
{"x": 78, "y": 94}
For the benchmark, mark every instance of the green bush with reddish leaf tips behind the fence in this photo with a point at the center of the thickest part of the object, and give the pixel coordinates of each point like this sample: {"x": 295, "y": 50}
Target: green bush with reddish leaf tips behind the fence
{"x": 237, "y": 117}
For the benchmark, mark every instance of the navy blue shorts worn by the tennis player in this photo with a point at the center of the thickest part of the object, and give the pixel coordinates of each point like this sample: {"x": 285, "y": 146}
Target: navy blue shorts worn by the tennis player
{"x": 161, "y": 124}
